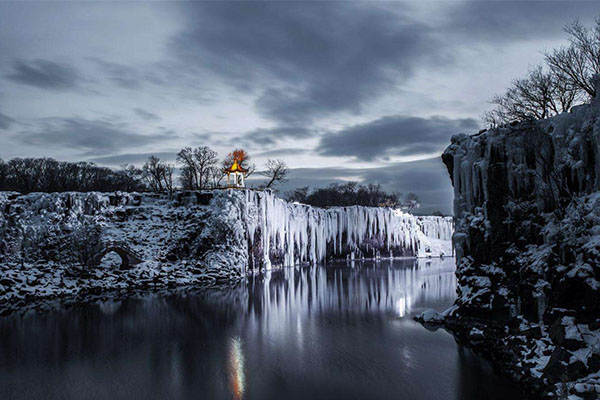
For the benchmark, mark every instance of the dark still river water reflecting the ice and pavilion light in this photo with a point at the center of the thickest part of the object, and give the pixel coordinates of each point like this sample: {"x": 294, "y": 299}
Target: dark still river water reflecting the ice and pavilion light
{"x": 341, "y": 332}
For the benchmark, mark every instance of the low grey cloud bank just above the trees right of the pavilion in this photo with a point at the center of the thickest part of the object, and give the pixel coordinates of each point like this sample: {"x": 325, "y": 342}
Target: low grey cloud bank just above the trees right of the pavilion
{"x": 427, "y": 178}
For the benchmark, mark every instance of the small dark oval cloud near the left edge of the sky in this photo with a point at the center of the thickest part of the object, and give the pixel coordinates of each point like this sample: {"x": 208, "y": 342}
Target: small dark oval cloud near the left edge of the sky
{"x": 44, "y": 74}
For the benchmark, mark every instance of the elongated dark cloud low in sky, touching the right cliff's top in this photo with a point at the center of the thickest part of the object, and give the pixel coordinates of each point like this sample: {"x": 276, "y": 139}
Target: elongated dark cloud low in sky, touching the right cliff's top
{"x": 394, "y": 136}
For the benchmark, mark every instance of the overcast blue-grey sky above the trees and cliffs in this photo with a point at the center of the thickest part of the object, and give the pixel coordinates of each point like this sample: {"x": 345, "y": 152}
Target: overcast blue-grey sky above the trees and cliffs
{"x": 340, "y": 91}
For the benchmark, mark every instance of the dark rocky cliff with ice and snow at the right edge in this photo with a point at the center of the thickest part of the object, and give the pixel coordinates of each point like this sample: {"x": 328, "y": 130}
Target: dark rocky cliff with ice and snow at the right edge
{"x": 527, "y": 239}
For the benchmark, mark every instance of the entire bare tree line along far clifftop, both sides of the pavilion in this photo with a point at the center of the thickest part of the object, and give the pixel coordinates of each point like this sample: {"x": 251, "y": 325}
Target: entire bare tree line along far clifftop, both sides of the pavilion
{"x": 199, "y": 169}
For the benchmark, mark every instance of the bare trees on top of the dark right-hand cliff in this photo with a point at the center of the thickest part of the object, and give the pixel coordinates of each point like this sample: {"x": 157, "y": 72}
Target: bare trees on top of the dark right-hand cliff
{"x": 565, "y": 80}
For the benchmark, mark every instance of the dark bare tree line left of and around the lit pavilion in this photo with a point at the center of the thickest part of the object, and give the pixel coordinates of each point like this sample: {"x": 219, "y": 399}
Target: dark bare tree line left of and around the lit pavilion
{"x": 199, "y": 168}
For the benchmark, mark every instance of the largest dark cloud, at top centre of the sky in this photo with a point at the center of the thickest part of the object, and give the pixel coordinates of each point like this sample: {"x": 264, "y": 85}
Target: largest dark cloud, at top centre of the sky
{"x": 305, "y": 61}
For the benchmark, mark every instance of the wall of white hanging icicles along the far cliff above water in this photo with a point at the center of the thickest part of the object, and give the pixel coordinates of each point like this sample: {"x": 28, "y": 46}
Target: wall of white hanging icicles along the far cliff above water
{"x": 301, "y": 233}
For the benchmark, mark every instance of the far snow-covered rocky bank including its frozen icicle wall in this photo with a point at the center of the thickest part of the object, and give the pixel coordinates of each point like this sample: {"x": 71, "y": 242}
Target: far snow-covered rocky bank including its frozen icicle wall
{"x": 45, "y": 237}
